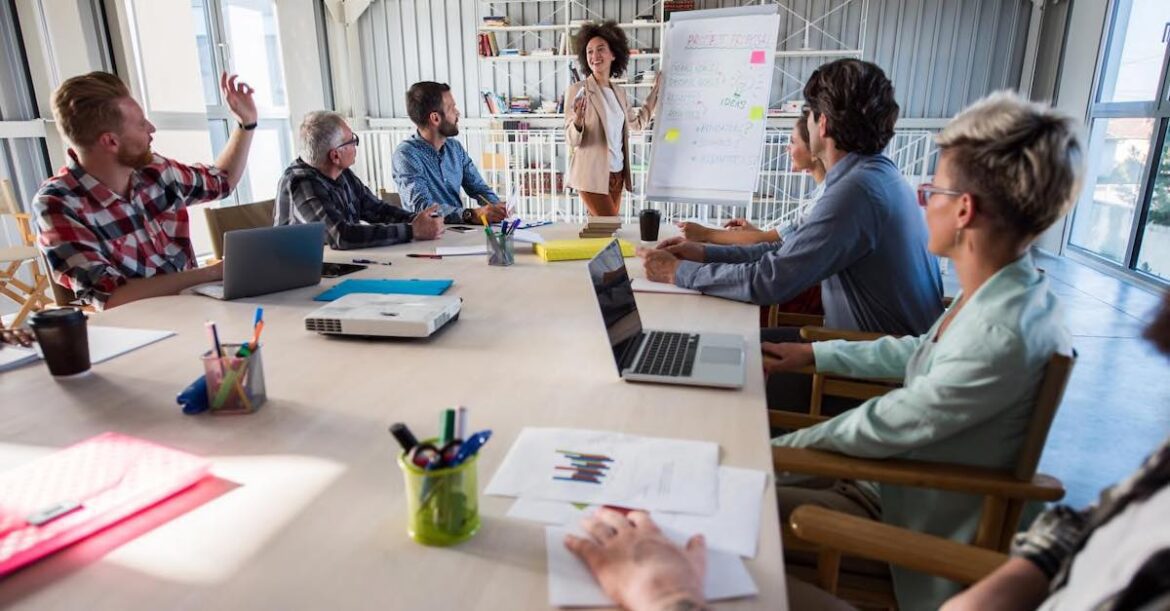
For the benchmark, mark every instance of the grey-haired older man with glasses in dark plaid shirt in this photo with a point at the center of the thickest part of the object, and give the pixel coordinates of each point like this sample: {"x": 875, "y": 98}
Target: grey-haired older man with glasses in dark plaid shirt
{"x": 320, "y": 187}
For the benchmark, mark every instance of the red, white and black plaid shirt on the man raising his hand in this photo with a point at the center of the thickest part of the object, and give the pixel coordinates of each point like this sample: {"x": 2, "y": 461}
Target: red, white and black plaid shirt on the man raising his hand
{"x": 97, "y": 241}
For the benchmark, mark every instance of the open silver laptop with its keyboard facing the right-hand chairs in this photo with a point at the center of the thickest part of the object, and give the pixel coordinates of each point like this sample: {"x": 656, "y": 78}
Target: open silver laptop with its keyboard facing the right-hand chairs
{"x": 666, "y": 358}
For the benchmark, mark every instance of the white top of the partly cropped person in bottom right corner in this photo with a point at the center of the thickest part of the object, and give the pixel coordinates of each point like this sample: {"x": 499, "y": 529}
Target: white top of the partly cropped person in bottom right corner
{"x": 1114, "y": 553}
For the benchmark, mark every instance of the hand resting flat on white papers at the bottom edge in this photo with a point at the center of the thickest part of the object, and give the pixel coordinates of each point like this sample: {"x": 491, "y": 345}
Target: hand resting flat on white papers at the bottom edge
{"x": 637, "y": 566}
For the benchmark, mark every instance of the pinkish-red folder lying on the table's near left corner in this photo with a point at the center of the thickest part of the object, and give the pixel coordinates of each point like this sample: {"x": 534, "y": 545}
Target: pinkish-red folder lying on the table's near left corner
{"x": 72, "y": 495}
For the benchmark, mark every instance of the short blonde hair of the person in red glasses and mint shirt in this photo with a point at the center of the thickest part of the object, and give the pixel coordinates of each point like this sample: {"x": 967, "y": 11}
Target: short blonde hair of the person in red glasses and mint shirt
{"x": 1021, "y": 161}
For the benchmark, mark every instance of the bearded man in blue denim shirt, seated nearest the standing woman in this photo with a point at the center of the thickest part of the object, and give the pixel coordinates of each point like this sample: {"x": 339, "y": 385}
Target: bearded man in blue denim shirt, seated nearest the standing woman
{"x": 430, "y": 168}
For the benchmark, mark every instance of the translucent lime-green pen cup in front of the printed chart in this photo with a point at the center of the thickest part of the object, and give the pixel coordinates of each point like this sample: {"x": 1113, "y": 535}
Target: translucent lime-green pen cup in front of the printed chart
{"x": 443, "y": 505}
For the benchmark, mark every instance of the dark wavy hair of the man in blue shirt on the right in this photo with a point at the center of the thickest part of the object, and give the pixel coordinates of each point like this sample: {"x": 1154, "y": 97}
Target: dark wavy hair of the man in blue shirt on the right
{"x": 859, "y": 102}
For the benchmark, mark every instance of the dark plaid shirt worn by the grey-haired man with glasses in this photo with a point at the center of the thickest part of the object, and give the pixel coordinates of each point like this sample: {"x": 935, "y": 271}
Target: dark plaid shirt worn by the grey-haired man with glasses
{"x": 305, "y": 195}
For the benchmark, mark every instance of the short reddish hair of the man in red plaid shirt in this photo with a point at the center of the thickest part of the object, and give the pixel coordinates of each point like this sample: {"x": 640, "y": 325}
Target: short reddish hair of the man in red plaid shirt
{"x": 86, "y": 107}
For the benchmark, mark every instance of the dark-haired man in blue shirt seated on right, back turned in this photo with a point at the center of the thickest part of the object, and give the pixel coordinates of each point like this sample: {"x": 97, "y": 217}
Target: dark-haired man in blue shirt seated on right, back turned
{"x": 865, "y": 242}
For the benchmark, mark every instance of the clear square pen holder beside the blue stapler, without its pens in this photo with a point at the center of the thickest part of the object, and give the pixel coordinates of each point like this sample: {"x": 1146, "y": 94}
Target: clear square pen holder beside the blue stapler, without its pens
{"x": 236, "y": 385}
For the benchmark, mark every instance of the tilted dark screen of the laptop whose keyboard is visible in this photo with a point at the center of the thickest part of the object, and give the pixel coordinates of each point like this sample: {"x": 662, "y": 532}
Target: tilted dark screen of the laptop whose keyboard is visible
{"x": 616, "y": 298}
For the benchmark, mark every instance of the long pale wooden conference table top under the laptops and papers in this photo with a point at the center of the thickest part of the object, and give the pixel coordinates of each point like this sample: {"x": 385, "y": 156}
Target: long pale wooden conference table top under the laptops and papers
{"x": 306, "y": 509}
